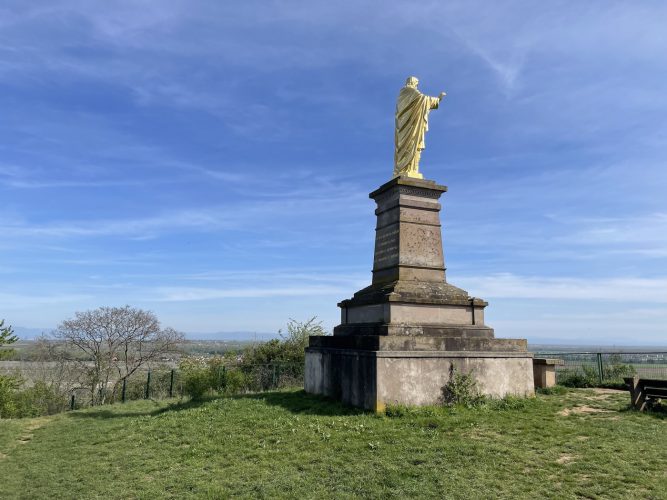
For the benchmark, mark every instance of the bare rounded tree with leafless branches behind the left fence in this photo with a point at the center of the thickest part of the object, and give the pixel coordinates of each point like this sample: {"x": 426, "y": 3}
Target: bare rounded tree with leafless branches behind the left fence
{"x": 117, "y": 342}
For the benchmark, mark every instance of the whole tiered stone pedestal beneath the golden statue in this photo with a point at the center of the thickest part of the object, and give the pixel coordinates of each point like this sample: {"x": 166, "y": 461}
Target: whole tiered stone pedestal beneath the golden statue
{"x": 400, "y": 336}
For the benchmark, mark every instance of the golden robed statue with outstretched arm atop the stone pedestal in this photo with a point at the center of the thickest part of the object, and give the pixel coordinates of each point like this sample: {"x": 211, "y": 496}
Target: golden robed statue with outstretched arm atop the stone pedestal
{"x": 412, "y": 110}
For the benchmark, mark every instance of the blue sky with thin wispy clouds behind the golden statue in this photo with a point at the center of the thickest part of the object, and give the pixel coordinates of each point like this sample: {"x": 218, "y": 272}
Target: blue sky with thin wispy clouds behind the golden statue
{"x": 211, "y": 161}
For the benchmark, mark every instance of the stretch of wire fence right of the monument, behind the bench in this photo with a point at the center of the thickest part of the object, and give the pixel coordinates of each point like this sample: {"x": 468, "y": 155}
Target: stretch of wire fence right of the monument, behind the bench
{"x": 608, "y": 367}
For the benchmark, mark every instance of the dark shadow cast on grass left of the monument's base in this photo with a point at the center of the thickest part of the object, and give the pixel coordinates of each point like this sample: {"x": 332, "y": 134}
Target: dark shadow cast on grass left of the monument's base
{"x": 302, "y": 403}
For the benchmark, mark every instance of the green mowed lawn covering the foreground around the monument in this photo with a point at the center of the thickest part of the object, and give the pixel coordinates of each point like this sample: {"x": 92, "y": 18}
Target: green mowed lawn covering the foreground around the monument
{"x": 584, "y": 443}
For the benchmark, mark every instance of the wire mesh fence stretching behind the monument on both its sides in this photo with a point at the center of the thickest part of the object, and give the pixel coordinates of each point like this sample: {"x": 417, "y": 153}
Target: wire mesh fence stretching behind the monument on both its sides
{"x": 48, "y": 388}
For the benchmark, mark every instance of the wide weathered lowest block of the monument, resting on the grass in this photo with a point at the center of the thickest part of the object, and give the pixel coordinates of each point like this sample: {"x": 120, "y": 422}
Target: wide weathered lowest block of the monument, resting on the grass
{"x": 374, "y": 379}
